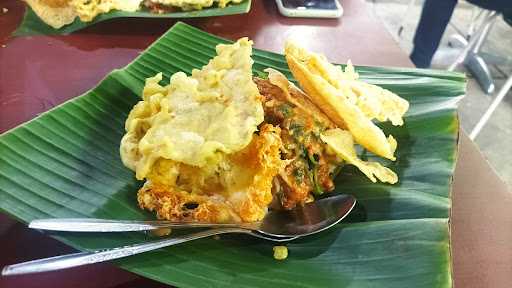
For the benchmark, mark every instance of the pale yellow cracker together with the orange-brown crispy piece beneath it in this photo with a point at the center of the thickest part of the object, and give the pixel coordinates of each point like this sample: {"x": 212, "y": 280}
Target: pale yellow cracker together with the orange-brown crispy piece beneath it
{"x": 194, "y": 142}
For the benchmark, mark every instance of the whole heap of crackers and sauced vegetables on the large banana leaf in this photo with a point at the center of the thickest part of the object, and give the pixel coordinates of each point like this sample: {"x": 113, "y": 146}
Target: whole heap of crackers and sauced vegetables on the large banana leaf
{"x": 222, "y": 146}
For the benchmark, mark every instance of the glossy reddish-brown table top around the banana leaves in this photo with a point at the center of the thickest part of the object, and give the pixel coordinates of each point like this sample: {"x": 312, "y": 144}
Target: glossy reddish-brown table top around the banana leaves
{"x": 32, "y": 81}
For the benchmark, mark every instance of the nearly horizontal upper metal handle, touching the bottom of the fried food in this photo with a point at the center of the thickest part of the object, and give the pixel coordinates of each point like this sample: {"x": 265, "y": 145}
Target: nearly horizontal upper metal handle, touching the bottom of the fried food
{"x": 106, "y": 225}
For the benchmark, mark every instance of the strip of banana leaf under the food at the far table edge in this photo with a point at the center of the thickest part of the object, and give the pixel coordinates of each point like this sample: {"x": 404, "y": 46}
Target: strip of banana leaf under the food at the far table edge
{"x": 33, "y": 25}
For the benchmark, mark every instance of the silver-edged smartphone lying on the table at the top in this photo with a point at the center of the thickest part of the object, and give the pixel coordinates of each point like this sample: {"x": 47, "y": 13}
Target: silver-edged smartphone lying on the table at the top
{"x": 315, "y": 9}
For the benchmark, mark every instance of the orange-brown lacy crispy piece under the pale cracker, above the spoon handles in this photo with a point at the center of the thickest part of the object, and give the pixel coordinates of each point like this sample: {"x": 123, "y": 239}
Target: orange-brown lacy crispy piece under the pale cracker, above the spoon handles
{"x": 238, "y": 189}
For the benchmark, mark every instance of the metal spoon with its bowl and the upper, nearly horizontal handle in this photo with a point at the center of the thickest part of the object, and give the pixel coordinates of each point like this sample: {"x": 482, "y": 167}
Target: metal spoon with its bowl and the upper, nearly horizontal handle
{"x": 303, "y": 220}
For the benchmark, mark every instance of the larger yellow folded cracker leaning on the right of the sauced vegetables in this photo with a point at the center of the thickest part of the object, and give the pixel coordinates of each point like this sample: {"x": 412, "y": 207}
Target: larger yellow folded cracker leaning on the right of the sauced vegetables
{"x": 347, "y": 101}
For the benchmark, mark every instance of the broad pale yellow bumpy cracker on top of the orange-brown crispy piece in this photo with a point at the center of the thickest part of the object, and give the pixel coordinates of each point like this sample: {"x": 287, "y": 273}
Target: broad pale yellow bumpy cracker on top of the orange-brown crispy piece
{"x": 195, "y": 119}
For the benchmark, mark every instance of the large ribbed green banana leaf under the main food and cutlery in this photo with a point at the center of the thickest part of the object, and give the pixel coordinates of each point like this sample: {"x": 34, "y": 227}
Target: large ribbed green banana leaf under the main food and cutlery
{"x": 65, "y": 163}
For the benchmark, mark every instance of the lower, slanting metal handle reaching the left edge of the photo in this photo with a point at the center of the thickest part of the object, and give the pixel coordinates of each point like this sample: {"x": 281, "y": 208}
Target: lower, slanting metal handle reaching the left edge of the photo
{"x": 84, "y": 258}
